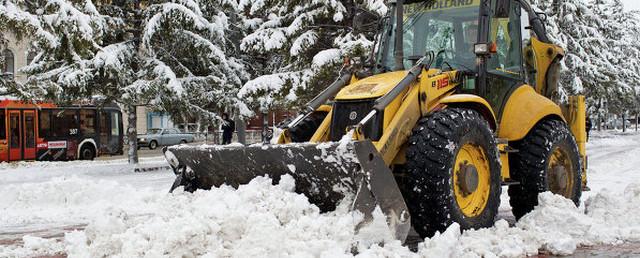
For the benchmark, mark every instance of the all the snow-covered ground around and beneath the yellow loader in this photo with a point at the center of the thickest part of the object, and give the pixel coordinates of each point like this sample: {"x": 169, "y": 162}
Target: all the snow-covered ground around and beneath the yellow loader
{"x": 97, "y": 209}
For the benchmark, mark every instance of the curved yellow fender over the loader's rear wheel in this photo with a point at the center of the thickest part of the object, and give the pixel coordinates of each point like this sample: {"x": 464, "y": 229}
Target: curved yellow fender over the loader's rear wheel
{"x": 524, "y": 109}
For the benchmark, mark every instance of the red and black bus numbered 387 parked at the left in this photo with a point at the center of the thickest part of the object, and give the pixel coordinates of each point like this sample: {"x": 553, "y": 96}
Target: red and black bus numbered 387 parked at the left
{"x": 46, "y": 132}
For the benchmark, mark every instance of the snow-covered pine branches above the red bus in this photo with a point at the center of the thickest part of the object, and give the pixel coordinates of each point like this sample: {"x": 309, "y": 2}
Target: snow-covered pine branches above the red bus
{"x": 67, "y": 35}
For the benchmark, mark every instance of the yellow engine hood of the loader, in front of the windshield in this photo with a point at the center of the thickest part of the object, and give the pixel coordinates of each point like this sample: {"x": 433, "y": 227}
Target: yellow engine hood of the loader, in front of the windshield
{"x": 371, "y": 87}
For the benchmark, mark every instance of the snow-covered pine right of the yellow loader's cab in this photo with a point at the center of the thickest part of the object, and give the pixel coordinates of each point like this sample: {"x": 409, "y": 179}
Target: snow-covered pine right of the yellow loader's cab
{"x": 593, "y": 35}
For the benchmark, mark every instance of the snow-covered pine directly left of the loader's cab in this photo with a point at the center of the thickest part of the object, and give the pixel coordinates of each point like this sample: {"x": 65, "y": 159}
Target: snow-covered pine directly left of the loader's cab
{"x": 298, "y": 46}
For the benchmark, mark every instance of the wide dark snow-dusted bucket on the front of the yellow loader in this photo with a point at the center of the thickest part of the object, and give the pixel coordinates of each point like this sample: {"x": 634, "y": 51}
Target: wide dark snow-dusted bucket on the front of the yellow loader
{"x": 326, "y": 173}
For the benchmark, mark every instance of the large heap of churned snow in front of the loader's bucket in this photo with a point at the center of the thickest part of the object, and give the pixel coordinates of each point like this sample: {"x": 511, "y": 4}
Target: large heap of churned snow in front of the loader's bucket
{"x": 258, "y": 219}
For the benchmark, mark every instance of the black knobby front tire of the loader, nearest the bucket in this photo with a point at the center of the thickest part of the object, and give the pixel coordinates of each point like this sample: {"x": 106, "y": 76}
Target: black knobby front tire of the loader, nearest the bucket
{"x": 431, "y": 155}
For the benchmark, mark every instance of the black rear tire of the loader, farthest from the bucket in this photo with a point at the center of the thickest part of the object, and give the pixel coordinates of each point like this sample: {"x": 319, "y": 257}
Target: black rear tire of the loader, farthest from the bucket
{"x": 534, "y": 154}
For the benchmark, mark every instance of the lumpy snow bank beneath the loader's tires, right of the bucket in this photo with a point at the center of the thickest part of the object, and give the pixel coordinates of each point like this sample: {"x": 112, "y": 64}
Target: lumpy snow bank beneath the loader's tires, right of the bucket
{"x": 556, "y": 226}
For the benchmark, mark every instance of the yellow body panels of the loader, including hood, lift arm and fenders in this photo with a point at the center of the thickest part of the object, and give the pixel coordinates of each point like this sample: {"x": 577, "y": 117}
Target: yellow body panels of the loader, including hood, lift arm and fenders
{"x": 524, "y": 109}
